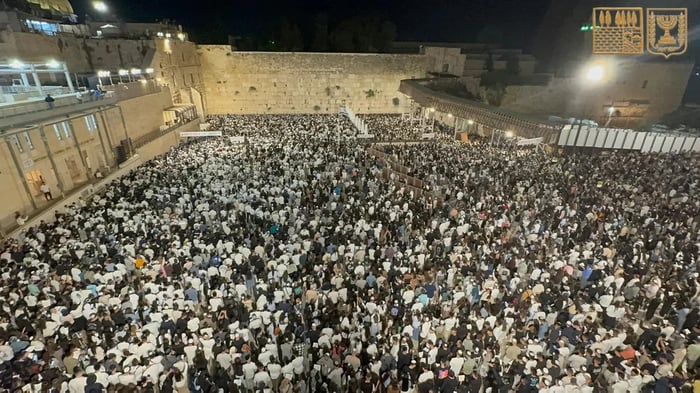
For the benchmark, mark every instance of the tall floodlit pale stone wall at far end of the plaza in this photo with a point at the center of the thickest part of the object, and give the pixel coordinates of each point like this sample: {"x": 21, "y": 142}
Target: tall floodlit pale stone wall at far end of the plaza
{"x": 286, "y": 82}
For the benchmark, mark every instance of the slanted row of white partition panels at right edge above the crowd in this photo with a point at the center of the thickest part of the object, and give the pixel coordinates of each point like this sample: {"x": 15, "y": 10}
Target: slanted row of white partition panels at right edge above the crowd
{"x": 621, "y": 139}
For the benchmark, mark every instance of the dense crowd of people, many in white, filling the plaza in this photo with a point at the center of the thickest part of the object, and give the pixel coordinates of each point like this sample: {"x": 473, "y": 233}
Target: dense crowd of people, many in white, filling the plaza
{"x": 288, "y": 264}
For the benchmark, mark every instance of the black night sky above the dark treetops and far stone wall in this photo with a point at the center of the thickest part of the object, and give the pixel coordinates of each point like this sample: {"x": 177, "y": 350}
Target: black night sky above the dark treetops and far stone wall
{"x": 211, "y": 21}
